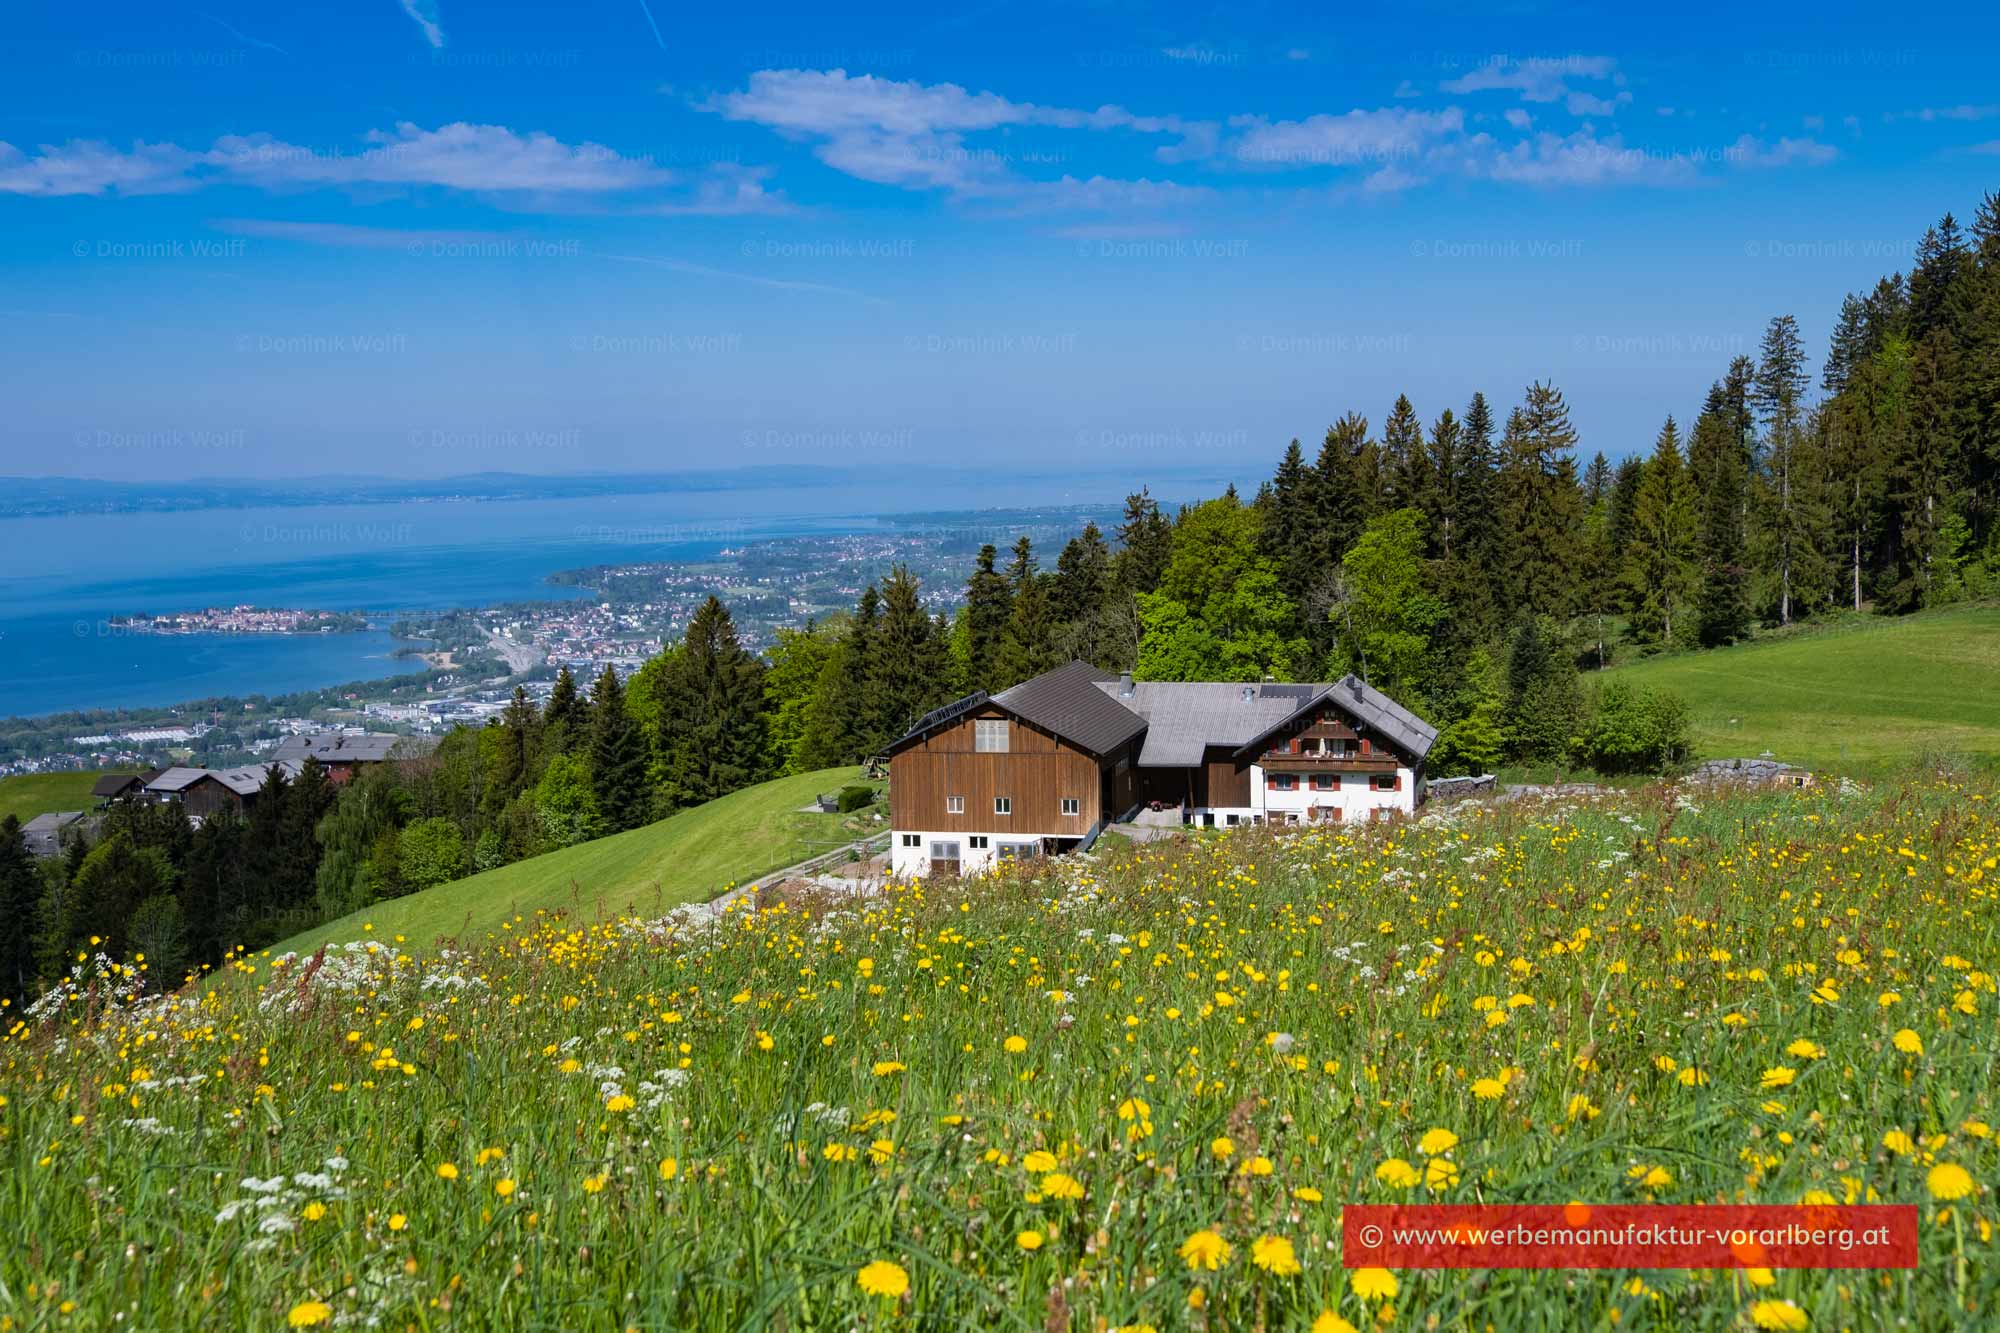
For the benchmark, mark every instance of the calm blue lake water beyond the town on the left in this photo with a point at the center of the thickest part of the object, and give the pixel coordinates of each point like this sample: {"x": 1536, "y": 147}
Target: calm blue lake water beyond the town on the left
{"x": 61, "y": 579}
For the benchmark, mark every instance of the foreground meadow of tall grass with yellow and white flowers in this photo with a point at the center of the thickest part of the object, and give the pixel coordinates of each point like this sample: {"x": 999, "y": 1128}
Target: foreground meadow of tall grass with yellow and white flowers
{"x": 1107, "y": 1094}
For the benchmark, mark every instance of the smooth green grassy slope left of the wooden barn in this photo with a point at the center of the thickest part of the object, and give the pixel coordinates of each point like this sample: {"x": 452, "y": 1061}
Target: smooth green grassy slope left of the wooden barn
{"x": 645, "y": 872}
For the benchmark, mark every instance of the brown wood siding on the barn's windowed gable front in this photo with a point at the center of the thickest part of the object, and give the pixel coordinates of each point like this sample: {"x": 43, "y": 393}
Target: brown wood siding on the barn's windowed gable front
{"x": 1037, "y": 774}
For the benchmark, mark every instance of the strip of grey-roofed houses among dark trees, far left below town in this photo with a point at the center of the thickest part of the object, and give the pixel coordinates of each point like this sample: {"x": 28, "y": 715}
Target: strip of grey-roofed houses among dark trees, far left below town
{"x": 205, "y": 792}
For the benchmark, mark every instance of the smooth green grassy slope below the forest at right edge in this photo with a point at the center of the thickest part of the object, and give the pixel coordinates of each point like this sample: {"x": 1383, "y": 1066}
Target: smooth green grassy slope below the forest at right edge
{"x": 1857, "y": 698}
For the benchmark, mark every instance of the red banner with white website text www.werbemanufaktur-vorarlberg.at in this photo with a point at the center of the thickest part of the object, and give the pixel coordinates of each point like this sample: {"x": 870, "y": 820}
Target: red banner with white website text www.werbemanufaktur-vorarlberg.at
{"x": 1629, "y": 1236}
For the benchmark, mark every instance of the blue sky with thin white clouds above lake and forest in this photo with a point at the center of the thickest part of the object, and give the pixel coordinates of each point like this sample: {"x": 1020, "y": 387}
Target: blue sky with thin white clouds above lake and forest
{"x": 419, "y": 237}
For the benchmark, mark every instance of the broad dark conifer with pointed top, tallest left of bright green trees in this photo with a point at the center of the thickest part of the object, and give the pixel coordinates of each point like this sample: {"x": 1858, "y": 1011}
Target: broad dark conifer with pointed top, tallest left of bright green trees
{"x": 713, "y": 726}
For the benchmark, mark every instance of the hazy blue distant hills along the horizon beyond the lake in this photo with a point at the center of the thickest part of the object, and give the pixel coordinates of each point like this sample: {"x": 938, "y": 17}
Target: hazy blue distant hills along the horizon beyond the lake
{"x": 27, "y": 497}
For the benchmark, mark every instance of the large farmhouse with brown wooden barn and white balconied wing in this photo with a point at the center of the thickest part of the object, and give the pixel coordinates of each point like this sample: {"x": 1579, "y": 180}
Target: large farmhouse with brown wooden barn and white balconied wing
{"x": 1041, "y": 770}
